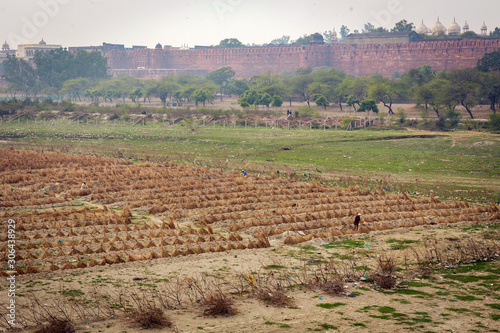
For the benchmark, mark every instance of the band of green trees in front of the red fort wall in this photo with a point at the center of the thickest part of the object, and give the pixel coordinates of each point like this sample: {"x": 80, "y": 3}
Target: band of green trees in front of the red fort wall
{"x": 84, "y": 75}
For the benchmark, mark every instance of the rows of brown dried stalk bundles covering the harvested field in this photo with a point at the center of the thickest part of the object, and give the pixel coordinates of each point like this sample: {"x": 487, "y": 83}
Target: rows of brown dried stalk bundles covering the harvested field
{"x": 212, "y": 206}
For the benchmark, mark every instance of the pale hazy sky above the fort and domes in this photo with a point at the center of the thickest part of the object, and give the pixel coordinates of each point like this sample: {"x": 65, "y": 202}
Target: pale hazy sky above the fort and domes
{"x": 207, "y": 22}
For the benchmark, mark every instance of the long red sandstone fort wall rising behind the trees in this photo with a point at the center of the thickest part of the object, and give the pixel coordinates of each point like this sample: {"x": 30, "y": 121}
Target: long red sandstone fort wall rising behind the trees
{"x": 356, "y": 59}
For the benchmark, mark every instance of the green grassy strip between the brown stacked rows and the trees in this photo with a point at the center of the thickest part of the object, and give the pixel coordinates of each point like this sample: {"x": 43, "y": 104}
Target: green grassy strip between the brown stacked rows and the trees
{"x": 453, "y": 164}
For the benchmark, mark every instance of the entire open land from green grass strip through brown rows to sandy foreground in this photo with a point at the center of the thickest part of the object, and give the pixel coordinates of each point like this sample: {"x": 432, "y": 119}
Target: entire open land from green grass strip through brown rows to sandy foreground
{"x": 172, "y": 233}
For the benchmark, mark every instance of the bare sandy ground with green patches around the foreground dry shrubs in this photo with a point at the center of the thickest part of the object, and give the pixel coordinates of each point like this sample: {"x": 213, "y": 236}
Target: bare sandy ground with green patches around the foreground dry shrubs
{"x": 361, "y": 313}
